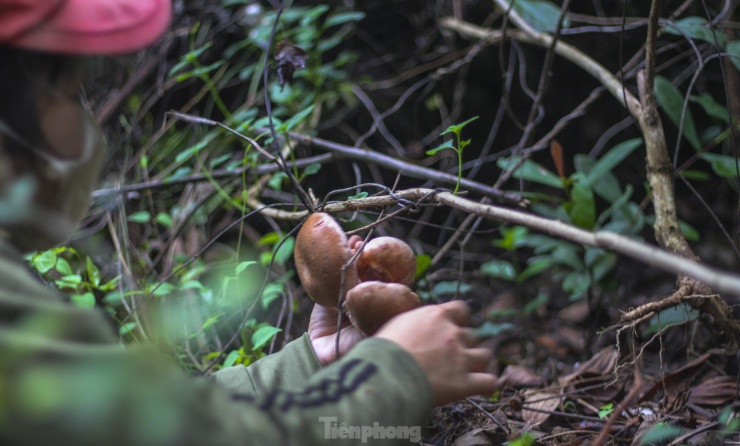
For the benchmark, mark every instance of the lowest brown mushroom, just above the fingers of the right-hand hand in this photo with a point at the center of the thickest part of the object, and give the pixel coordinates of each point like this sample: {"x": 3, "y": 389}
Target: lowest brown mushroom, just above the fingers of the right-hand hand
{"x": 371, "y": 304}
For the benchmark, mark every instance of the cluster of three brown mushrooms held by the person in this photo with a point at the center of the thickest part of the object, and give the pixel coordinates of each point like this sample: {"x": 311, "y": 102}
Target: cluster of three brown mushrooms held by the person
{"x": 377, "y": 284}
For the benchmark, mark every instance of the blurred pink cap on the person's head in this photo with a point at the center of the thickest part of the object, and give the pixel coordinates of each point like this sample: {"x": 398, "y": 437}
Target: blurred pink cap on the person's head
{"x": 83, "y": 26}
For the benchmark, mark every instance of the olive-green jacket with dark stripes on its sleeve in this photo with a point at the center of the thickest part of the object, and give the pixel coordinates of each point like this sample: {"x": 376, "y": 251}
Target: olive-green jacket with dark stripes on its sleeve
{"x": 64, "y": 380}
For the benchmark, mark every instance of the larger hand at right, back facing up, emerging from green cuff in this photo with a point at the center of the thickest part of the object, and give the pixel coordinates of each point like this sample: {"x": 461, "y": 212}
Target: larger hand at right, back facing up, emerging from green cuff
{"x": 435, "y": 337}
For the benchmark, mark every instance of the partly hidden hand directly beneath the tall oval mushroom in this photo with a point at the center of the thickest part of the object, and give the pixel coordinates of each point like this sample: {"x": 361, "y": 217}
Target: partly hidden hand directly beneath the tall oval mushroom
{"x": 322, "y": 330}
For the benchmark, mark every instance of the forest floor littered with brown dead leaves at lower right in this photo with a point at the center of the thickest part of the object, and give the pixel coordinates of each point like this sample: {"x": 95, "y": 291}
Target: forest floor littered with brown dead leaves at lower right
{"x": 568, "y": 378}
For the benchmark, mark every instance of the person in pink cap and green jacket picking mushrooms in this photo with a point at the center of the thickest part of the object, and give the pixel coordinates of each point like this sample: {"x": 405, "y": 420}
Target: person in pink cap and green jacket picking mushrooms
{"x": 64, "y": 376}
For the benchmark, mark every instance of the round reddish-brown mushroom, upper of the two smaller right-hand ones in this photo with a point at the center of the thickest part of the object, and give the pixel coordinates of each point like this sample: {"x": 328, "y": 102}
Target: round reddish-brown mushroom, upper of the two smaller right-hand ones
{"x": 387, "y": 259}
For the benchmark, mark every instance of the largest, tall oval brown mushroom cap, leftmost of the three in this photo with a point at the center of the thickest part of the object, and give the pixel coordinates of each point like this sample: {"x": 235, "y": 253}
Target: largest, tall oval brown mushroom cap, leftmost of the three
{"x": 321, "y": 249}
